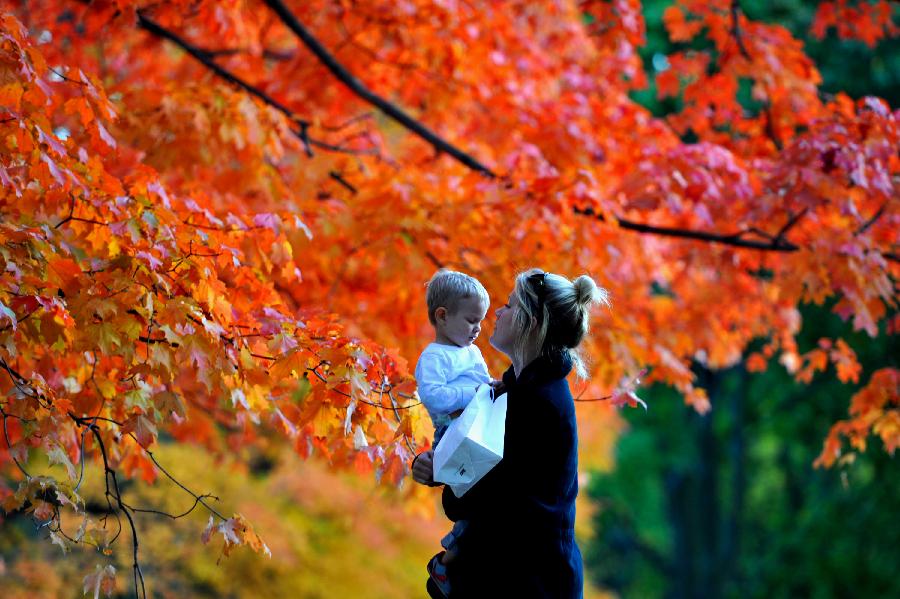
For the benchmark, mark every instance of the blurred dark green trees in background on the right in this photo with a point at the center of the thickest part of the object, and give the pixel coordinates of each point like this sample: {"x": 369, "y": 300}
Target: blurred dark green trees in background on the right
{"x": 729, "y": 504}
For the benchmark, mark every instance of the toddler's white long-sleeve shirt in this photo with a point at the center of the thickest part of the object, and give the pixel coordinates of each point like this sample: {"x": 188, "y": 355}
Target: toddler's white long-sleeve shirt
{"x": 448, "y": 376}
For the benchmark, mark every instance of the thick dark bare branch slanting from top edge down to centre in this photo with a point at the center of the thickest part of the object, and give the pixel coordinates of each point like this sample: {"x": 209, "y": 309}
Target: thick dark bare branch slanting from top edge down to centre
{"x": 358, "y": 88}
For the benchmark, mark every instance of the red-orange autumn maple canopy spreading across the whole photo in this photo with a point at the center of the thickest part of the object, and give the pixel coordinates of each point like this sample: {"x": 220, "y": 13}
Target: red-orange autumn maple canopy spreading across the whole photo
{"x": 217, "y": 218}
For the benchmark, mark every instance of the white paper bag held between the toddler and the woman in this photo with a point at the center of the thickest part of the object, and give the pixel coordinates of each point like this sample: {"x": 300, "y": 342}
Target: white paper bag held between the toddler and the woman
{"x": 473, "y": 443}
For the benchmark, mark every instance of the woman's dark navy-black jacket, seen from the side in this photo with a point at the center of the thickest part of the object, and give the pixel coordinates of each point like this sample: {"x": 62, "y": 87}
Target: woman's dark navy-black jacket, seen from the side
{"x": 519, "y": 541}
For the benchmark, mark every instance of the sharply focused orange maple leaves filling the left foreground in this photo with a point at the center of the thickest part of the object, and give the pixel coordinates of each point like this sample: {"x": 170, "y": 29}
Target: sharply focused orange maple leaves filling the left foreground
{"x": 130, "y": 308}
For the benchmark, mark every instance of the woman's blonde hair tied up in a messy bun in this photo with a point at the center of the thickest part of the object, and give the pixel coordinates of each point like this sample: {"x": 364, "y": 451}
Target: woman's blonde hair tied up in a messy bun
{"x": 553, "y": 315}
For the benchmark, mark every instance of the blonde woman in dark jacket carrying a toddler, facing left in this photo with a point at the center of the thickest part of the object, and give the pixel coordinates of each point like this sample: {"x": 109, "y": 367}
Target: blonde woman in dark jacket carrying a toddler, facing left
{"x": 520, "y": 536}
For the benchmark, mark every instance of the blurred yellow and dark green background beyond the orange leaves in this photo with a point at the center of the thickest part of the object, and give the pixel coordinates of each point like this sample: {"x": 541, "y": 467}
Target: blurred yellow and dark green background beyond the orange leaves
{"x": 726, "y": 504}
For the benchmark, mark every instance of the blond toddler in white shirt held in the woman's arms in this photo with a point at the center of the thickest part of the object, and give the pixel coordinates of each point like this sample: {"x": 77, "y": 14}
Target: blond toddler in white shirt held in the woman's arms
{"x": 450, "y": 370}
